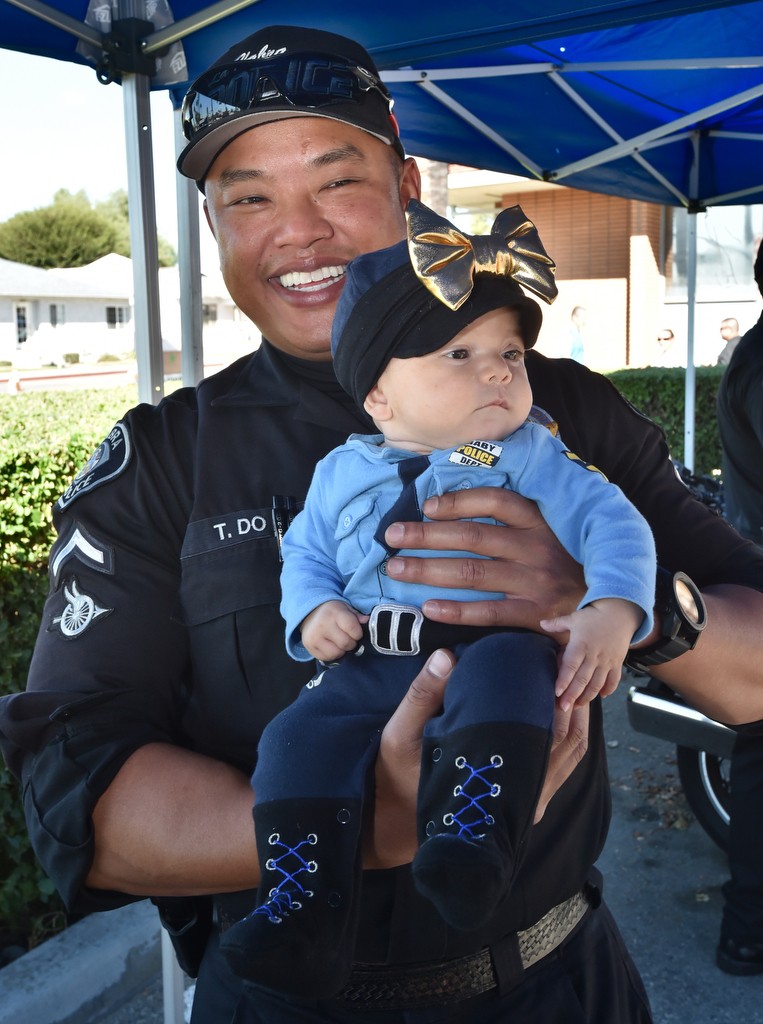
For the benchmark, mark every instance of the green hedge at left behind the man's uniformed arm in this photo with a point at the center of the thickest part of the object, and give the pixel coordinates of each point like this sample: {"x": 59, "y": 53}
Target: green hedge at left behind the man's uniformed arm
{"x": 46, "y": 439}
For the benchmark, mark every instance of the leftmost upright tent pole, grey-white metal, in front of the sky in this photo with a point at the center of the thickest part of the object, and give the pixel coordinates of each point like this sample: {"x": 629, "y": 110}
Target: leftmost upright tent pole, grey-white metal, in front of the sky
{"x": 144, "y": 237}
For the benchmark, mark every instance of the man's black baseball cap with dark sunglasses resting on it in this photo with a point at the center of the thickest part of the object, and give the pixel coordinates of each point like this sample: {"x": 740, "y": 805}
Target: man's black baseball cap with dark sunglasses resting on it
{"x": 279, "y": 73}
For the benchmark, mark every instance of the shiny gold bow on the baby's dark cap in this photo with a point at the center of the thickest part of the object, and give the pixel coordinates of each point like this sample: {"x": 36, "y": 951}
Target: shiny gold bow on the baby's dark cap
{"x": 447, "y": 260}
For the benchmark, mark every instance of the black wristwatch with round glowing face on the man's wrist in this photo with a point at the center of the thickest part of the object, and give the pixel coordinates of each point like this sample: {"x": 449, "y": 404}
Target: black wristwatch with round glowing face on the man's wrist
{"x": 681, "y": 611}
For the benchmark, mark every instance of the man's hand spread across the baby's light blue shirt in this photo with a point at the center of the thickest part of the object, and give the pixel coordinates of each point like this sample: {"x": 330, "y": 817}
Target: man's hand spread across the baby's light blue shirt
{"x": 526, "y": 562}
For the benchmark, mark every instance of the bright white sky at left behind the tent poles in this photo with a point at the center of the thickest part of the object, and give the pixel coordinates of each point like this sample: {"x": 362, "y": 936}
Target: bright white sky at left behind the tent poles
{"x": 67, "y": 132}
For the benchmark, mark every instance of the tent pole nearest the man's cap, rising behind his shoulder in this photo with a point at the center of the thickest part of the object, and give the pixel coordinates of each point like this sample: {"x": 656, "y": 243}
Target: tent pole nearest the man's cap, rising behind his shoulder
{"x": 189, "y": 260}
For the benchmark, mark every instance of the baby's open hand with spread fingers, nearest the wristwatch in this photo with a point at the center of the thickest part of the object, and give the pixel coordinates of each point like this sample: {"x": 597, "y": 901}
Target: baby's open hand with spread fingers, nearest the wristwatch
{"x": 592, "y": 661}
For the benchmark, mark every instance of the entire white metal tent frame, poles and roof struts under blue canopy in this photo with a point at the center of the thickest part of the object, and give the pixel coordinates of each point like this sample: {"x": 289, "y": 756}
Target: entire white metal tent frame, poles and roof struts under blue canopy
{"x": 141, "y": 175}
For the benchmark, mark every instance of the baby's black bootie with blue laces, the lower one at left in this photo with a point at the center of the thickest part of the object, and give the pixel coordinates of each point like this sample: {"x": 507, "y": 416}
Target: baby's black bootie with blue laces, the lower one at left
{"x": 301, "y": 936}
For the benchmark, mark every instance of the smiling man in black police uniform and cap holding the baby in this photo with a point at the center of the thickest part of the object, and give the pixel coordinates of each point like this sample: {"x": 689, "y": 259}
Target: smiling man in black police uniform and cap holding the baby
{"x": 136, "y": 735}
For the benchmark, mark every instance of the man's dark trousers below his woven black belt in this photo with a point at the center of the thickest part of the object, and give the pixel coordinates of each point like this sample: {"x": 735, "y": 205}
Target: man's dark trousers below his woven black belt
{"x": 589, "y": 979}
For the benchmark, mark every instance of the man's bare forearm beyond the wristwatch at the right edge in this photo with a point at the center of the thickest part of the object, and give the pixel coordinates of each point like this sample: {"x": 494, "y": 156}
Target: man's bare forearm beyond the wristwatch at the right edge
{"x": 724, "y": 676}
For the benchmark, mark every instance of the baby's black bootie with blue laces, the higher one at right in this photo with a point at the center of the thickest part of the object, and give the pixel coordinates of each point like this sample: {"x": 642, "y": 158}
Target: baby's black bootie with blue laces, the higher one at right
{"x": 477, "y": 802}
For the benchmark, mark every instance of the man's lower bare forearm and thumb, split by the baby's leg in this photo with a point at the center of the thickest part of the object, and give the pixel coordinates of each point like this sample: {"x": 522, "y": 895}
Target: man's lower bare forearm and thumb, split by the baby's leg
{"x": 177, "y": 824}
